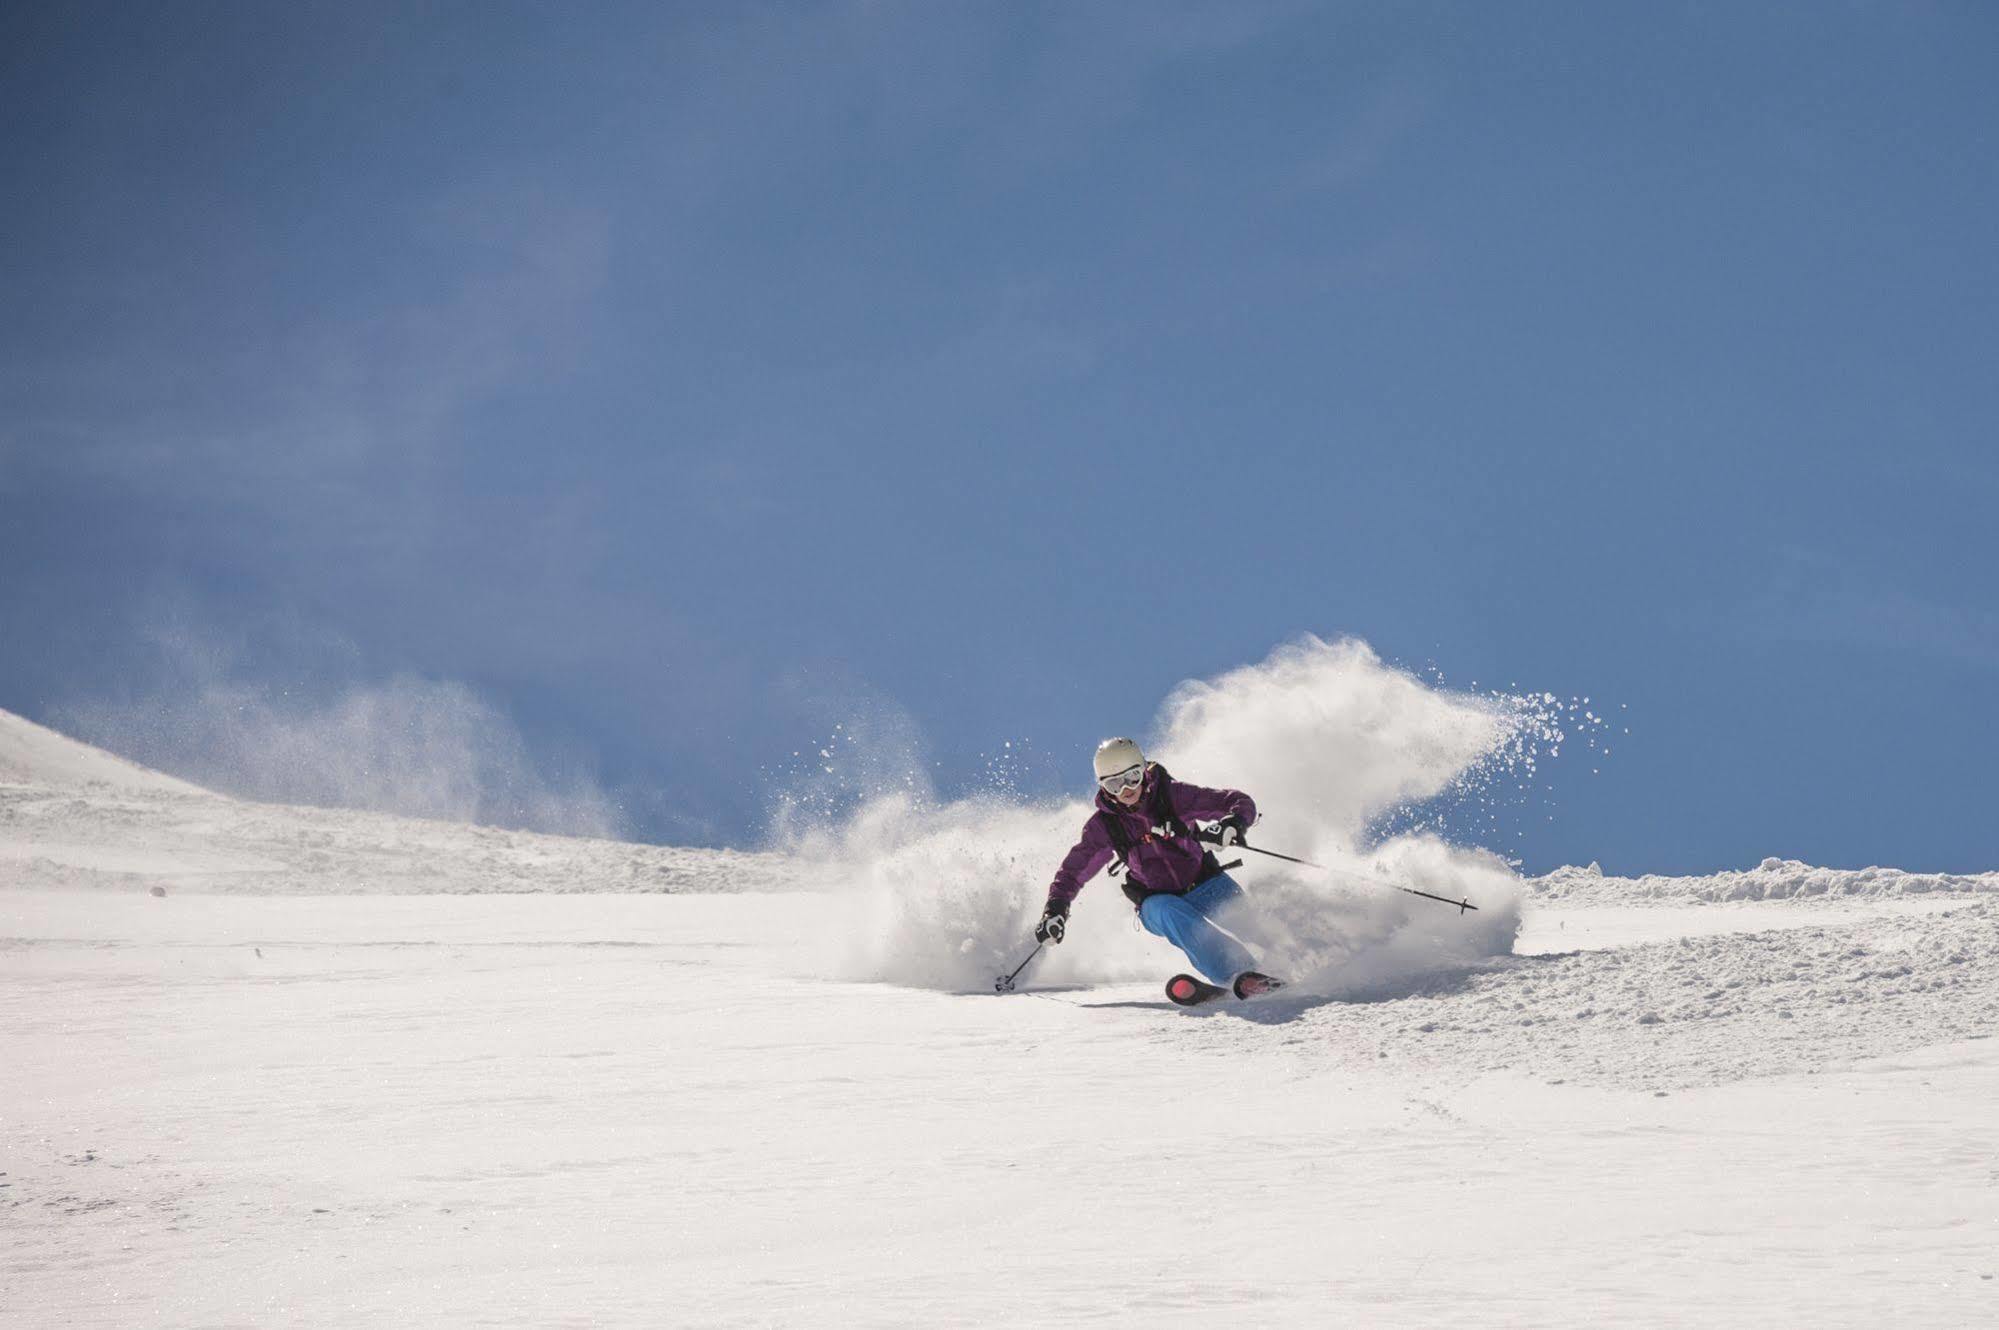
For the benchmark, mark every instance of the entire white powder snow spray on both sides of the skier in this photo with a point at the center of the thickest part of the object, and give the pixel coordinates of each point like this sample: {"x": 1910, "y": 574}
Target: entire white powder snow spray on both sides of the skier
{"x": 1326, "y": 737}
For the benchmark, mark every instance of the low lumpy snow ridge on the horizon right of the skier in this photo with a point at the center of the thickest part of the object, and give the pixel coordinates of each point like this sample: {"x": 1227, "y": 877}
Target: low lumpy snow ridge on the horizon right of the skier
{"x": 1774, "y": 879}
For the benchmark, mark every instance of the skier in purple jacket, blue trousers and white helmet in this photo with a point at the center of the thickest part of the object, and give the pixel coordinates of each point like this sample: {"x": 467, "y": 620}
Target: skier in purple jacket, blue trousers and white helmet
{"x": 1142, "y": 821}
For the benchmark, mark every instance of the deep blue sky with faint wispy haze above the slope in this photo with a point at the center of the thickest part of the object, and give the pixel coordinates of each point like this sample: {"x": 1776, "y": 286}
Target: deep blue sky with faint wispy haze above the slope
{"x": 689, "y": 379}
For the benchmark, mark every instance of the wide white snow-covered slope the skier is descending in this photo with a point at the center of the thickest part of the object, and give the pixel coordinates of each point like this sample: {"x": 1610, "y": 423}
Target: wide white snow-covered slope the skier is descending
{"x": 375, "y": 1071}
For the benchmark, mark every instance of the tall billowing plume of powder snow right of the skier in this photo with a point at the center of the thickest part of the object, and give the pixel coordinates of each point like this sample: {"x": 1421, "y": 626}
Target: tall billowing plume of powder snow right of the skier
{"x": 1328, "y": 741}
